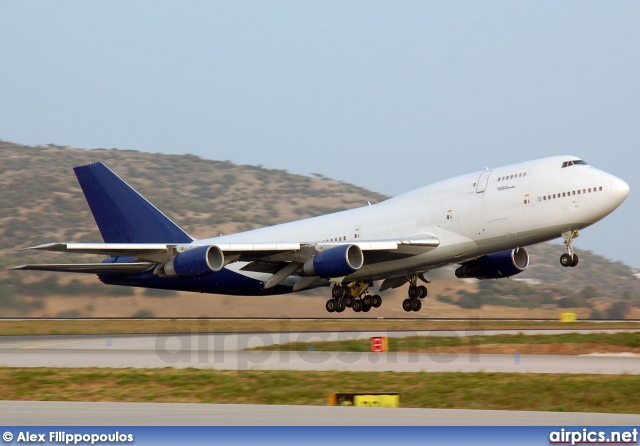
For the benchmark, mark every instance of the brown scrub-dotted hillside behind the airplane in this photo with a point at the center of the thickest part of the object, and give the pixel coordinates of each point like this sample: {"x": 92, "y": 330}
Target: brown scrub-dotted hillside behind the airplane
{"x": 41, "y": 201}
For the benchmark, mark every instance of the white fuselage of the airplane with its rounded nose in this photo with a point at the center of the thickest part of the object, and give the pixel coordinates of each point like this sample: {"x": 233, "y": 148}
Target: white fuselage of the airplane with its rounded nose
{"x": 472, "y": 215}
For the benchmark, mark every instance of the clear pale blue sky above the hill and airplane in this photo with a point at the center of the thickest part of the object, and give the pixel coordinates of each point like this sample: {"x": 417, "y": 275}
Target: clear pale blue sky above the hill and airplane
{"x": 390, "y": 96}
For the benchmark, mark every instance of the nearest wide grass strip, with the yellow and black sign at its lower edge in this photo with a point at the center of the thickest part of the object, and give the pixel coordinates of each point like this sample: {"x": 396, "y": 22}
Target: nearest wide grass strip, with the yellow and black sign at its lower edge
{"x": 504, "y": 391}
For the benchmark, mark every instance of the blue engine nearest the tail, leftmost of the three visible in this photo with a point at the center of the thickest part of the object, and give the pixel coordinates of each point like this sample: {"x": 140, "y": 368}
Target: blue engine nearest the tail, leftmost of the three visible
{"x": 196, "y": 262}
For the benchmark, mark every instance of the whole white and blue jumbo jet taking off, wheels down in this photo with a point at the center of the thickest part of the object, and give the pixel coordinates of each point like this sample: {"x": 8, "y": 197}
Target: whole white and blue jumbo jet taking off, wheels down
{"x": 480, "y": 221}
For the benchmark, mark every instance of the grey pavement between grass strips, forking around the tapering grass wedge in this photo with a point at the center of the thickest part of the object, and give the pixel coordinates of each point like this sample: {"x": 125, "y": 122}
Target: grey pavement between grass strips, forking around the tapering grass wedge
{"x": 226, "y": 351}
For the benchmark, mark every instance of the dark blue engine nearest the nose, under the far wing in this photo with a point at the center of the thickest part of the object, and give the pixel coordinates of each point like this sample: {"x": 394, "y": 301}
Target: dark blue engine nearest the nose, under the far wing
{"x": 495, "y": 266}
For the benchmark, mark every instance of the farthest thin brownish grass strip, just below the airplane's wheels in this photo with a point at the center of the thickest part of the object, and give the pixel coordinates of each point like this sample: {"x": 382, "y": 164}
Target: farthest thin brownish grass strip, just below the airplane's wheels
{"x": 130, "y": 326}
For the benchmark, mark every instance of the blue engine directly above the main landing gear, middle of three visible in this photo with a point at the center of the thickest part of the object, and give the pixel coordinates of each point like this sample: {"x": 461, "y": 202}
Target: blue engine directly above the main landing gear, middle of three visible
{"x": 334, "y": 262}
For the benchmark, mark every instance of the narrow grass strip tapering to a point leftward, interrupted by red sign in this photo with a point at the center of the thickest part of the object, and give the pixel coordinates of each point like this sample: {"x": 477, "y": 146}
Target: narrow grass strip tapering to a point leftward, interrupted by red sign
{"x": 421, "y": 343}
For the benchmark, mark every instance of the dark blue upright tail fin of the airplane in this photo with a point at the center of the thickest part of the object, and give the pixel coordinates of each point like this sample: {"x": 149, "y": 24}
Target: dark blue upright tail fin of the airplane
{"x": 122, "y": 214}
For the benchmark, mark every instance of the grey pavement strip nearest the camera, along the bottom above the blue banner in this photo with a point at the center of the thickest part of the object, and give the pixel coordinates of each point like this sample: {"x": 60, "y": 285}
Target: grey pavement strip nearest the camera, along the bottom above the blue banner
{"x": 51, "y": 413}
